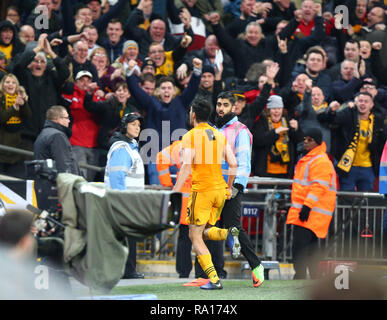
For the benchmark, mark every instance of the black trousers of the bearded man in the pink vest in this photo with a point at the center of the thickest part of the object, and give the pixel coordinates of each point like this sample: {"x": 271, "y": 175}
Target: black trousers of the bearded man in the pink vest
{"x": 230, "y": 217}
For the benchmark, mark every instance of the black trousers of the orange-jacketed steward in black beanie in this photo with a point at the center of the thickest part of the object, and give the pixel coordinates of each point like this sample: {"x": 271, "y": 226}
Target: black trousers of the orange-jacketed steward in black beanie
{"x": 305, "y": 247}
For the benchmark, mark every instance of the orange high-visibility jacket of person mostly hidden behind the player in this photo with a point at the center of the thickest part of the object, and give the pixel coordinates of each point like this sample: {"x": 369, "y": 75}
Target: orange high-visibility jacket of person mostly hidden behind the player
{"x": 167, "y": 158}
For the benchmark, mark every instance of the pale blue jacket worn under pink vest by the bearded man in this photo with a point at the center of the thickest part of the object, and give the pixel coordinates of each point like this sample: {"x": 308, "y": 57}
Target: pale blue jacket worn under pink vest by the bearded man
{"x": 242, "y": 153}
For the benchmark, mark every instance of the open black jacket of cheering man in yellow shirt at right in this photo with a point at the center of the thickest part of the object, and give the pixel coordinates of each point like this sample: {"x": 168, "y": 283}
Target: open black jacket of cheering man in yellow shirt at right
{"x": 347, "y": 119}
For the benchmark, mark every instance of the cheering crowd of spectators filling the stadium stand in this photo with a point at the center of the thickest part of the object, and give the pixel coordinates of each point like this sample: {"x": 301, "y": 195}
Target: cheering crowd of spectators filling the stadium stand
{"x": 325, "y": 63}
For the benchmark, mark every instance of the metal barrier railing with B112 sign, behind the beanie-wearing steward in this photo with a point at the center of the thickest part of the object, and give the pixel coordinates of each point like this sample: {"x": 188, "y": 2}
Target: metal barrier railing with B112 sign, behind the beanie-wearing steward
{"x": 356, "y": 230}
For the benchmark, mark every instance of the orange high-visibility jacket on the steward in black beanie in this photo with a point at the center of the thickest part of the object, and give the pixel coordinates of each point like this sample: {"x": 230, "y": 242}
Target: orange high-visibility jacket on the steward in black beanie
{"x": 314, "y": 185}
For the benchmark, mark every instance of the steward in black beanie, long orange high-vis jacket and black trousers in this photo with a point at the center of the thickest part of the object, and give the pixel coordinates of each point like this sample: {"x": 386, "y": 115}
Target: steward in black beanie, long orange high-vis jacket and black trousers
{"x": 313, "y": 202}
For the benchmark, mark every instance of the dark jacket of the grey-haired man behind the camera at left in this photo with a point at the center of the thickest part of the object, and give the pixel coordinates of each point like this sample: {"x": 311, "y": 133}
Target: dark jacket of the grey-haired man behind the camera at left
{"x": 53, "y": 143}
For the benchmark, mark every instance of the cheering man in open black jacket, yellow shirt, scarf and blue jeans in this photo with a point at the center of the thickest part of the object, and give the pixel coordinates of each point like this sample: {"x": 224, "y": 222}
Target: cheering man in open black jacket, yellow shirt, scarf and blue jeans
{"x": 360, "y": 142}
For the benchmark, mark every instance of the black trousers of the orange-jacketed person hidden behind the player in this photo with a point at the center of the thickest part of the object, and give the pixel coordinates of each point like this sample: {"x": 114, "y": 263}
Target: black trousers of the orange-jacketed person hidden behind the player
{"x": 183, "y": 256}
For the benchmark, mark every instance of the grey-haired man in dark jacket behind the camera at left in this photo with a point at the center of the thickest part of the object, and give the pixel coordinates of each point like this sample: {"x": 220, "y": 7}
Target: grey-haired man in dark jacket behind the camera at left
{"x": 53, "y": 143}
